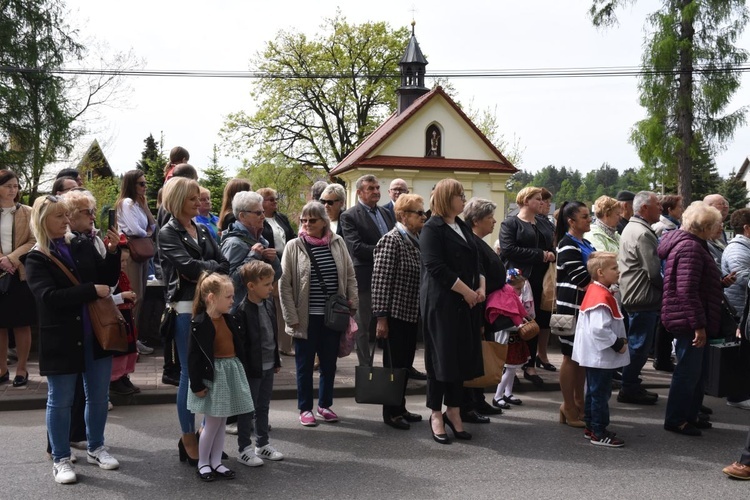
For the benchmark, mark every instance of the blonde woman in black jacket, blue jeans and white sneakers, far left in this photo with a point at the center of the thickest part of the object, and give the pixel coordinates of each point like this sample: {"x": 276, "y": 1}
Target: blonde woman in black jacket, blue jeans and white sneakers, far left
{"x": 67, "y": 345}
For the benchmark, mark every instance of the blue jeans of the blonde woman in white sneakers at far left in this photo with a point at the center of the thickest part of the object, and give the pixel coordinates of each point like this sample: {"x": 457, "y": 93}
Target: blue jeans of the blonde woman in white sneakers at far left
{"x": 60, "y": 393}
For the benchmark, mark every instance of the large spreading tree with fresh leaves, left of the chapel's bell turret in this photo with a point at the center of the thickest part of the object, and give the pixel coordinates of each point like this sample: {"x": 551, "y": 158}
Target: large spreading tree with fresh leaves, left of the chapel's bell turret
{"x": 323, "y": 95}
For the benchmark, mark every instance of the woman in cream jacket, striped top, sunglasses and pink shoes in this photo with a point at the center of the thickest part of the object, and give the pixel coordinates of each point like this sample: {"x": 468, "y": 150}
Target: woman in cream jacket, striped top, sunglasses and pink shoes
{"x": 304, "y": 291}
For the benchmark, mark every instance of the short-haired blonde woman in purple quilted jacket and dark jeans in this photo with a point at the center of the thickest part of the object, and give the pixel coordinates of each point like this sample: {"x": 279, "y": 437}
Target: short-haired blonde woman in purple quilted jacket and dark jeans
{"x": 691, "y": 311}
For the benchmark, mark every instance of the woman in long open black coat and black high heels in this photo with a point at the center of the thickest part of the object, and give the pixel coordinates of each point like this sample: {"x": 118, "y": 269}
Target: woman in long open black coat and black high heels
{"x": 451, "y": 286}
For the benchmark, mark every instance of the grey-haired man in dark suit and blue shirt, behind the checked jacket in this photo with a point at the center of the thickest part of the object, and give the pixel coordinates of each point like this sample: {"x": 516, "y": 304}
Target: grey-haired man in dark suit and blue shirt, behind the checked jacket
{"x": 363, "y": 226}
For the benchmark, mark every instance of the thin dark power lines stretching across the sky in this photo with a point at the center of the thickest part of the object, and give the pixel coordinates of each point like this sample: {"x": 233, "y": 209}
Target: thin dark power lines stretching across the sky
{"x": 520, "y": 73}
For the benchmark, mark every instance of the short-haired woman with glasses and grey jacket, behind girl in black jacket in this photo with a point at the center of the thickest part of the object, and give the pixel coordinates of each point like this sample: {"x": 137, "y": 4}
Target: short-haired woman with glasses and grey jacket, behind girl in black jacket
{"x": 244, "y": 240}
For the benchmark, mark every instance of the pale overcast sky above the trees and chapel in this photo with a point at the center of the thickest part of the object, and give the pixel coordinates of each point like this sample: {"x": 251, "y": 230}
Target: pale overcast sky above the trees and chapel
{"x": 579, "y": 123}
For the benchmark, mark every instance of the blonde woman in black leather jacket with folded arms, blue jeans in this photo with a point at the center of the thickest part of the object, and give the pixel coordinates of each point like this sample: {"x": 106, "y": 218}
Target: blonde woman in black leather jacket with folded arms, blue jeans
{"x": 187, "y": 250}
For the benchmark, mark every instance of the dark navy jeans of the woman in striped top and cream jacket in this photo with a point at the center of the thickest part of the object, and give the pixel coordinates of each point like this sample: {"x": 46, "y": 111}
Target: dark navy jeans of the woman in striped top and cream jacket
{"x": 325, "y": 343}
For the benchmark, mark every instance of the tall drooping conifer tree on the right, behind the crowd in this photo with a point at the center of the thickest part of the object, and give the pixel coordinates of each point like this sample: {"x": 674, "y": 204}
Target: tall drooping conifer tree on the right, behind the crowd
{"x": 690, "y": 74}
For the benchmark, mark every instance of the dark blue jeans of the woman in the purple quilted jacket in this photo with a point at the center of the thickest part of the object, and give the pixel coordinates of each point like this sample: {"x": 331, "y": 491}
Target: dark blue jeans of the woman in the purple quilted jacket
{"x": 687, "y": 387}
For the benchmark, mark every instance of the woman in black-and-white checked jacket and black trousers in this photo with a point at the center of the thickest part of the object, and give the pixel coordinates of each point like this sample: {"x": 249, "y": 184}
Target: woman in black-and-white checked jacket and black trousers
{"x": 395, "y": 295}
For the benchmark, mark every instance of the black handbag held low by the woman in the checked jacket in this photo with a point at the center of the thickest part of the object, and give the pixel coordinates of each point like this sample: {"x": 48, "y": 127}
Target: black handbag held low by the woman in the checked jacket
{"x": 377, "y": 385}
